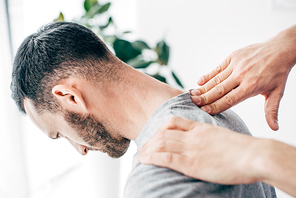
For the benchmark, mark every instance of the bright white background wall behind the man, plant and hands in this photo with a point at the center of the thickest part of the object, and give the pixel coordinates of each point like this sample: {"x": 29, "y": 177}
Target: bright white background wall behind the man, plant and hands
{"x": 201, "y": 34}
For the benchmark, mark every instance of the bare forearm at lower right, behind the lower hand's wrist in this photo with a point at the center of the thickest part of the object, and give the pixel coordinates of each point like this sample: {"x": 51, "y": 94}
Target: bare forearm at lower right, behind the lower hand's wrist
{"x": 276, "y": 165}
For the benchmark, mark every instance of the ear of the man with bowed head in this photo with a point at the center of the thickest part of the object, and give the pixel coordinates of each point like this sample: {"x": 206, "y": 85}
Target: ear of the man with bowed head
{"x": 69, "y": 97}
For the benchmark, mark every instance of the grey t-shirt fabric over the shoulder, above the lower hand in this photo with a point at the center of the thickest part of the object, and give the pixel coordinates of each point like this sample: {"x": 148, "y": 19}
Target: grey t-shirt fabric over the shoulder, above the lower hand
{"x": 182, "y": 106}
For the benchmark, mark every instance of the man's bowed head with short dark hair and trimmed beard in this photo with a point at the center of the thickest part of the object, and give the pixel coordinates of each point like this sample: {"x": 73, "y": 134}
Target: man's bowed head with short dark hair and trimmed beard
{"x": 49, "y": 72}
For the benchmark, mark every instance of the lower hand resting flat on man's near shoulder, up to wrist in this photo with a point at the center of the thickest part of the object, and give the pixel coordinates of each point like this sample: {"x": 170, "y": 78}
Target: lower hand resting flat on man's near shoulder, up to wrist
{"x": 203, "y": 151}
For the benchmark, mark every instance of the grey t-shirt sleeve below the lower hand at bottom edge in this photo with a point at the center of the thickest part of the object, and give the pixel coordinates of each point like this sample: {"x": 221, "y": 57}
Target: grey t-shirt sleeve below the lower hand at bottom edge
{"x": 152, "y": 181}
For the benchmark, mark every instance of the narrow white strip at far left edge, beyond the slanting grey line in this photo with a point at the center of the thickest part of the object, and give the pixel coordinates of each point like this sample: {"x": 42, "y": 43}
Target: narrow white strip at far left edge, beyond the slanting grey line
{"x": 13, "y": 178}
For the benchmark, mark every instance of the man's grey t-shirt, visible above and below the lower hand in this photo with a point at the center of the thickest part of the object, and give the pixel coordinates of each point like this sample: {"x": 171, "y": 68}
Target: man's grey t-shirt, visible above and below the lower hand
{"x": 153, "y": 181}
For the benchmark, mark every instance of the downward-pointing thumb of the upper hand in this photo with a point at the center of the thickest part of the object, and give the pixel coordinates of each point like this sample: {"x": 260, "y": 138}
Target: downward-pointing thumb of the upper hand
{"x": 272, "y": 103}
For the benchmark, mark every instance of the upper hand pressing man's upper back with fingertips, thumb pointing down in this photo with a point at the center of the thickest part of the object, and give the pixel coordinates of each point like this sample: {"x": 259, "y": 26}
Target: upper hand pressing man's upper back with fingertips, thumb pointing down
{"x": 256, "y": 69}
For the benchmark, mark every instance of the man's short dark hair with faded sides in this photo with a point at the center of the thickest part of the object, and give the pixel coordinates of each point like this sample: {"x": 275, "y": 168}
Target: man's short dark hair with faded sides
{"x": 57, "y": 51}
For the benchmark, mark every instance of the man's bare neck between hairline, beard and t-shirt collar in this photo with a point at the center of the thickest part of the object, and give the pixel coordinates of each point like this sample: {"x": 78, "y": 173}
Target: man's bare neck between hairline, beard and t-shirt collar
{"x": 134, "y": 99}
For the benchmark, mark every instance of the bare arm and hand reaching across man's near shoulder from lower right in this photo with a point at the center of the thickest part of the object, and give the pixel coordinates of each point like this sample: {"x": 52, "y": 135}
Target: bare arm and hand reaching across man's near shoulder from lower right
{"x": 219, "y": 155}
